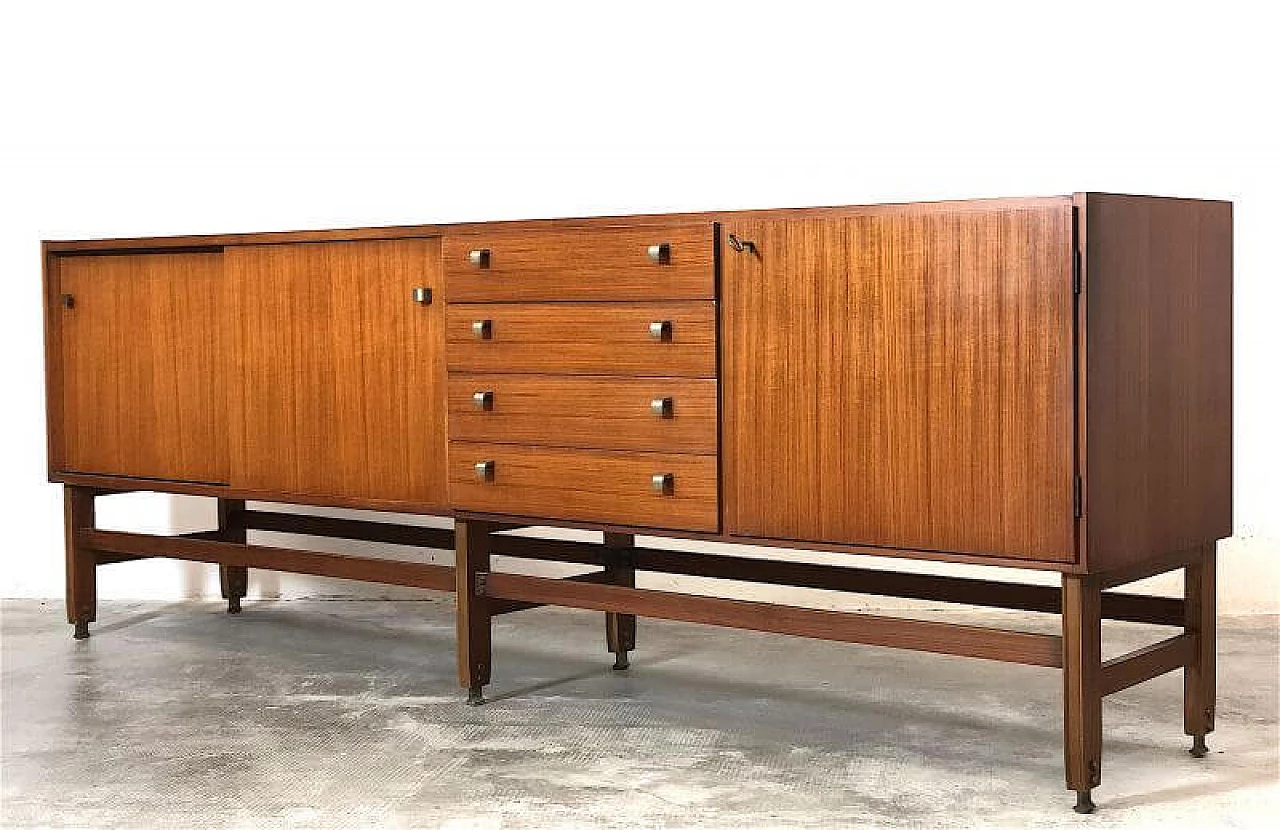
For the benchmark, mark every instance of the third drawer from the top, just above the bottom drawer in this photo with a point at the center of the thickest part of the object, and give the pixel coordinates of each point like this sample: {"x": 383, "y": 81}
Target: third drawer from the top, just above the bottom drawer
{"x": 656, "y": 414}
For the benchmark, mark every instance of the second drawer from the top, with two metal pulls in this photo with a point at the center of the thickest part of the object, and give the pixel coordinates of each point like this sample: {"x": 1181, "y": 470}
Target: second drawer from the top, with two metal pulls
{"x": 609, "y": 339}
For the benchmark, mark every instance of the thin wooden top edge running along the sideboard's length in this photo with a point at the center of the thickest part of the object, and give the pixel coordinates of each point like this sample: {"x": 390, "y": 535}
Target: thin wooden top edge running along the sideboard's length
{"x": 391, "y": 232}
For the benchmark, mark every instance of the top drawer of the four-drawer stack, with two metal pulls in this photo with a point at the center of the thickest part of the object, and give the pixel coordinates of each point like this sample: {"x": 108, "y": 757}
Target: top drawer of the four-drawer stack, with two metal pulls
{"x": 641, "y": 263}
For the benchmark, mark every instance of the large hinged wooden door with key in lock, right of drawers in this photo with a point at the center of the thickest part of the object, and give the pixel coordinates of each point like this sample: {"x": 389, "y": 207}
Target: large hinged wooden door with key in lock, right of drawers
{"x": 903, "y": 380}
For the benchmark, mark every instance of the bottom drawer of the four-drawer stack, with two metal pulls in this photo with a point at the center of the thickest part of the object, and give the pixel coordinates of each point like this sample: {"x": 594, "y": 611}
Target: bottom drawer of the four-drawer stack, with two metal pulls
{"x": 596, "y": 486}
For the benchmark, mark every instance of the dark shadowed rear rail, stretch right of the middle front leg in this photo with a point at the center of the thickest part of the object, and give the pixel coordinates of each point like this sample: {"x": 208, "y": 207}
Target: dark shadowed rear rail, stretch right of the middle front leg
{"x": 958, "y": 590}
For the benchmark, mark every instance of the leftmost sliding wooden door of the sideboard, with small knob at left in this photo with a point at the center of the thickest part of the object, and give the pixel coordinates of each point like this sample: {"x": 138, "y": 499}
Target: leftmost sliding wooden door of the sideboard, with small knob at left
{"x": 143, "y": 367}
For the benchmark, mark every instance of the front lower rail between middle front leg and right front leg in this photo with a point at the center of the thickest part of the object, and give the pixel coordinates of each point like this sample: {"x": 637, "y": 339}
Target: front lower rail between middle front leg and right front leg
{"x": 944, "y": 639}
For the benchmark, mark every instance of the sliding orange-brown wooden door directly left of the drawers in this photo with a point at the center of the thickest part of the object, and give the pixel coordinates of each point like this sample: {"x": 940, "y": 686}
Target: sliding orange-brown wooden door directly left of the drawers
{"x": 344, "y": 373}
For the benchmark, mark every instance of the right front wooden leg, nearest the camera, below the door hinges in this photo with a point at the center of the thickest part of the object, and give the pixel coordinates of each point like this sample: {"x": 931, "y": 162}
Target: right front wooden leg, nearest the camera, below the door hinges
{"x": 1082, "y": 688}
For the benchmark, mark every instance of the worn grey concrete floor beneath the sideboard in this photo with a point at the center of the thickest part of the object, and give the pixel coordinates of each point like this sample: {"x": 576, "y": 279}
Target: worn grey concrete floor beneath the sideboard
{"x": 346, "y": 714}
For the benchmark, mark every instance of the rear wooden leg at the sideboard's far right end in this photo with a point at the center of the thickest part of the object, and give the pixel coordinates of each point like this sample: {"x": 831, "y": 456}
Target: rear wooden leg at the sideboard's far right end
{"x": 1200, "y": 678}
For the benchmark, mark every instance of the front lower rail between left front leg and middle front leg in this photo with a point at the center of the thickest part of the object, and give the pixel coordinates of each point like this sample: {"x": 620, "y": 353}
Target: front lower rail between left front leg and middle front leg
{"x": 196, "y": 550}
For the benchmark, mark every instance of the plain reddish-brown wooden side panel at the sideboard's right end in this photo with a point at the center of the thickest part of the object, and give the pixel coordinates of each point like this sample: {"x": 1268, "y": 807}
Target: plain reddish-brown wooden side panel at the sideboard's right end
{"x": 1159, "y": 377}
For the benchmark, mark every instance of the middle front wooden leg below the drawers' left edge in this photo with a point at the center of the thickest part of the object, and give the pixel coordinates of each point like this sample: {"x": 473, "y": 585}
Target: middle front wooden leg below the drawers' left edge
{"x": 474, "y": 618}
